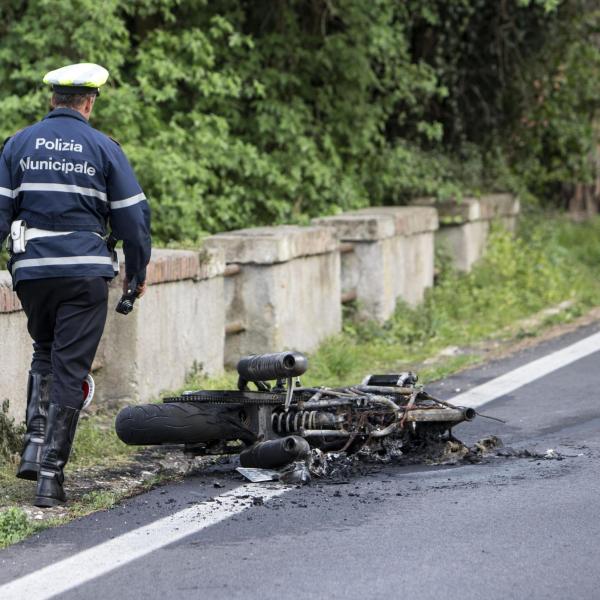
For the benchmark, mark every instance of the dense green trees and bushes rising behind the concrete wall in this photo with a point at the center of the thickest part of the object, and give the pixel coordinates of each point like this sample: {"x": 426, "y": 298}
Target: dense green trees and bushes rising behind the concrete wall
{"x": 241, "y": 112}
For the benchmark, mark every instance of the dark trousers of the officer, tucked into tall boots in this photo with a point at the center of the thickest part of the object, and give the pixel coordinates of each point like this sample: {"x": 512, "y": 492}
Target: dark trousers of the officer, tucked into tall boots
{"x": 65, "y": 318}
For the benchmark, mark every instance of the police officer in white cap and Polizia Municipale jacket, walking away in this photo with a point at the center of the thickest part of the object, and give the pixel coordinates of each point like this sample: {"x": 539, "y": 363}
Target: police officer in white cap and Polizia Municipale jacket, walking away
{"x": 62, "y": 184}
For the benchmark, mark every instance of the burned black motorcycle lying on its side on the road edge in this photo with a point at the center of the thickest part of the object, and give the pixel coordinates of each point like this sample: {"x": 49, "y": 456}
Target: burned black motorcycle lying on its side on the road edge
{"x": 280, "y": 422}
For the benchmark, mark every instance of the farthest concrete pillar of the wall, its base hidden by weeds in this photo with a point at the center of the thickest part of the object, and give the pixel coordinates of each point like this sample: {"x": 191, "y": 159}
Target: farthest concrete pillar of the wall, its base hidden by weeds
{"x": 465, "y": 224}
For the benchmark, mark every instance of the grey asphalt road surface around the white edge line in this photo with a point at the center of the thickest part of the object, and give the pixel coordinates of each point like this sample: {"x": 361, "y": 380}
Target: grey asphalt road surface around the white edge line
{"x": 509, "y": 528}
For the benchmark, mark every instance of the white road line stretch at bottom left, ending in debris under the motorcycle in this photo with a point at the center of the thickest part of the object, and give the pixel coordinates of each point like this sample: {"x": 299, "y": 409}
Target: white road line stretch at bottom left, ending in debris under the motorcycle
{"x": 84, "y": 566}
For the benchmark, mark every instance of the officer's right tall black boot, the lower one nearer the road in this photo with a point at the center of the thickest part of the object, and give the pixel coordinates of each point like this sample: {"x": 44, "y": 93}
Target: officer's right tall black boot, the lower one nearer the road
{"x": 60, "y": 432}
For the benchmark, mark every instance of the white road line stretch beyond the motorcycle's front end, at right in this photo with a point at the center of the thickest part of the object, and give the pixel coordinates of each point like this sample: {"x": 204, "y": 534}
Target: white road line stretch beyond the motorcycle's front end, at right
{"x": 509, "y": 382}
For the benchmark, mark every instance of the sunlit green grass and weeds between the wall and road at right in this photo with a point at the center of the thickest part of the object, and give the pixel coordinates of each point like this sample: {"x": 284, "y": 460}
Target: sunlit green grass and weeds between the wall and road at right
{"x": 552, "y": 260}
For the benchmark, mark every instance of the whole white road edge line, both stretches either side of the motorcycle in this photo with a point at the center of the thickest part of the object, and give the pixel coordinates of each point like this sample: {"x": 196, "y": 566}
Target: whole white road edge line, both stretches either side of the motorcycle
{"x": 84, "y": 566}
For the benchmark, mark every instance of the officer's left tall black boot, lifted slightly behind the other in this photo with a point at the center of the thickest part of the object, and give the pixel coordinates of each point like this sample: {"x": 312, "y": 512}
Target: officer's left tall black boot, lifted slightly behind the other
{"x": 38, "y": 395}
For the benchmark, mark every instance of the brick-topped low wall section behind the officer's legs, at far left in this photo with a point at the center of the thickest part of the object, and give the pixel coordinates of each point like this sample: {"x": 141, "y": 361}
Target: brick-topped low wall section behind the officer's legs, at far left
{"x": 178, "y": 326}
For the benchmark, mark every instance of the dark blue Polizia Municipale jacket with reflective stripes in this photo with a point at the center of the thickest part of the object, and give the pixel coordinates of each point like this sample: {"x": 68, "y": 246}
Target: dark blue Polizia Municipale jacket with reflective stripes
{"x": 62, "y": 175}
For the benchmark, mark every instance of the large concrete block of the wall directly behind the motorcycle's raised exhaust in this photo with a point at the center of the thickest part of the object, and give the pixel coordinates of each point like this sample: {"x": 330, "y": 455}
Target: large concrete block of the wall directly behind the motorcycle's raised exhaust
{"x": 284, "y": 292}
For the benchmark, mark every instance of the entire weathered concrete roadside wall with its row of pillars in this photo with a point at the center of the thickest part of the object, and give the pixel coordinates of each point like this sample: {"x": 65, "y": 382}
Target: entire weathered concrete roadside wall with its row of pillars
{"x": 262, "y": 290}
